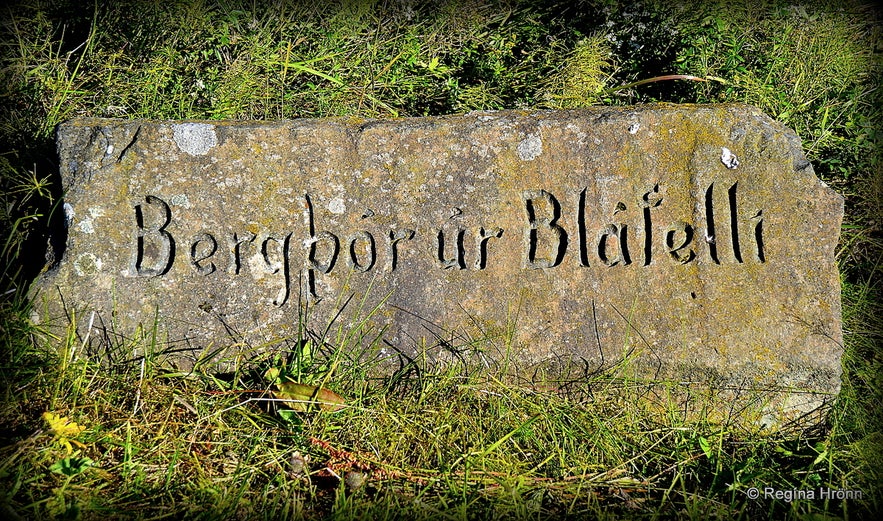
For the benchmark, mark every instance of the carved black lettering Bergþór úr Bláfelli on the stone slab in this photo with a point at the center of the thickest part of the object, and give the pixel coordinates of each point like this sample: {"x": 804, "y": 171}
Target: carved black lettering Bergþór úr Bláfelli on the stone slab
{"x": 545, "y": 246}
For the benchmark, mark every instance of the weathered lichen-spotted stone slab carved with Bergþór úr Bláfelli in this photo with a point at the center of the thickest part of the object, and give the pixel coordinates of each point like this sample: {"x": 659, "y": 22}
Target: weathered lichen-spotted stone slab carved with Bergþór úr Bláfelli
{"x": 695, "y": 240}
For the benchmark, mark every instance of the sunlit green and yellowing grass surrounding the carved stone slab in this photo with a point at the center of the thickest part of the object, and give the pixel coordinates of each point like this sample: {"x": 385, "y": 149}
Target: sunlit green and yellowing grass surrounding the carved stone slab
{"x": 134, "y": 440}
